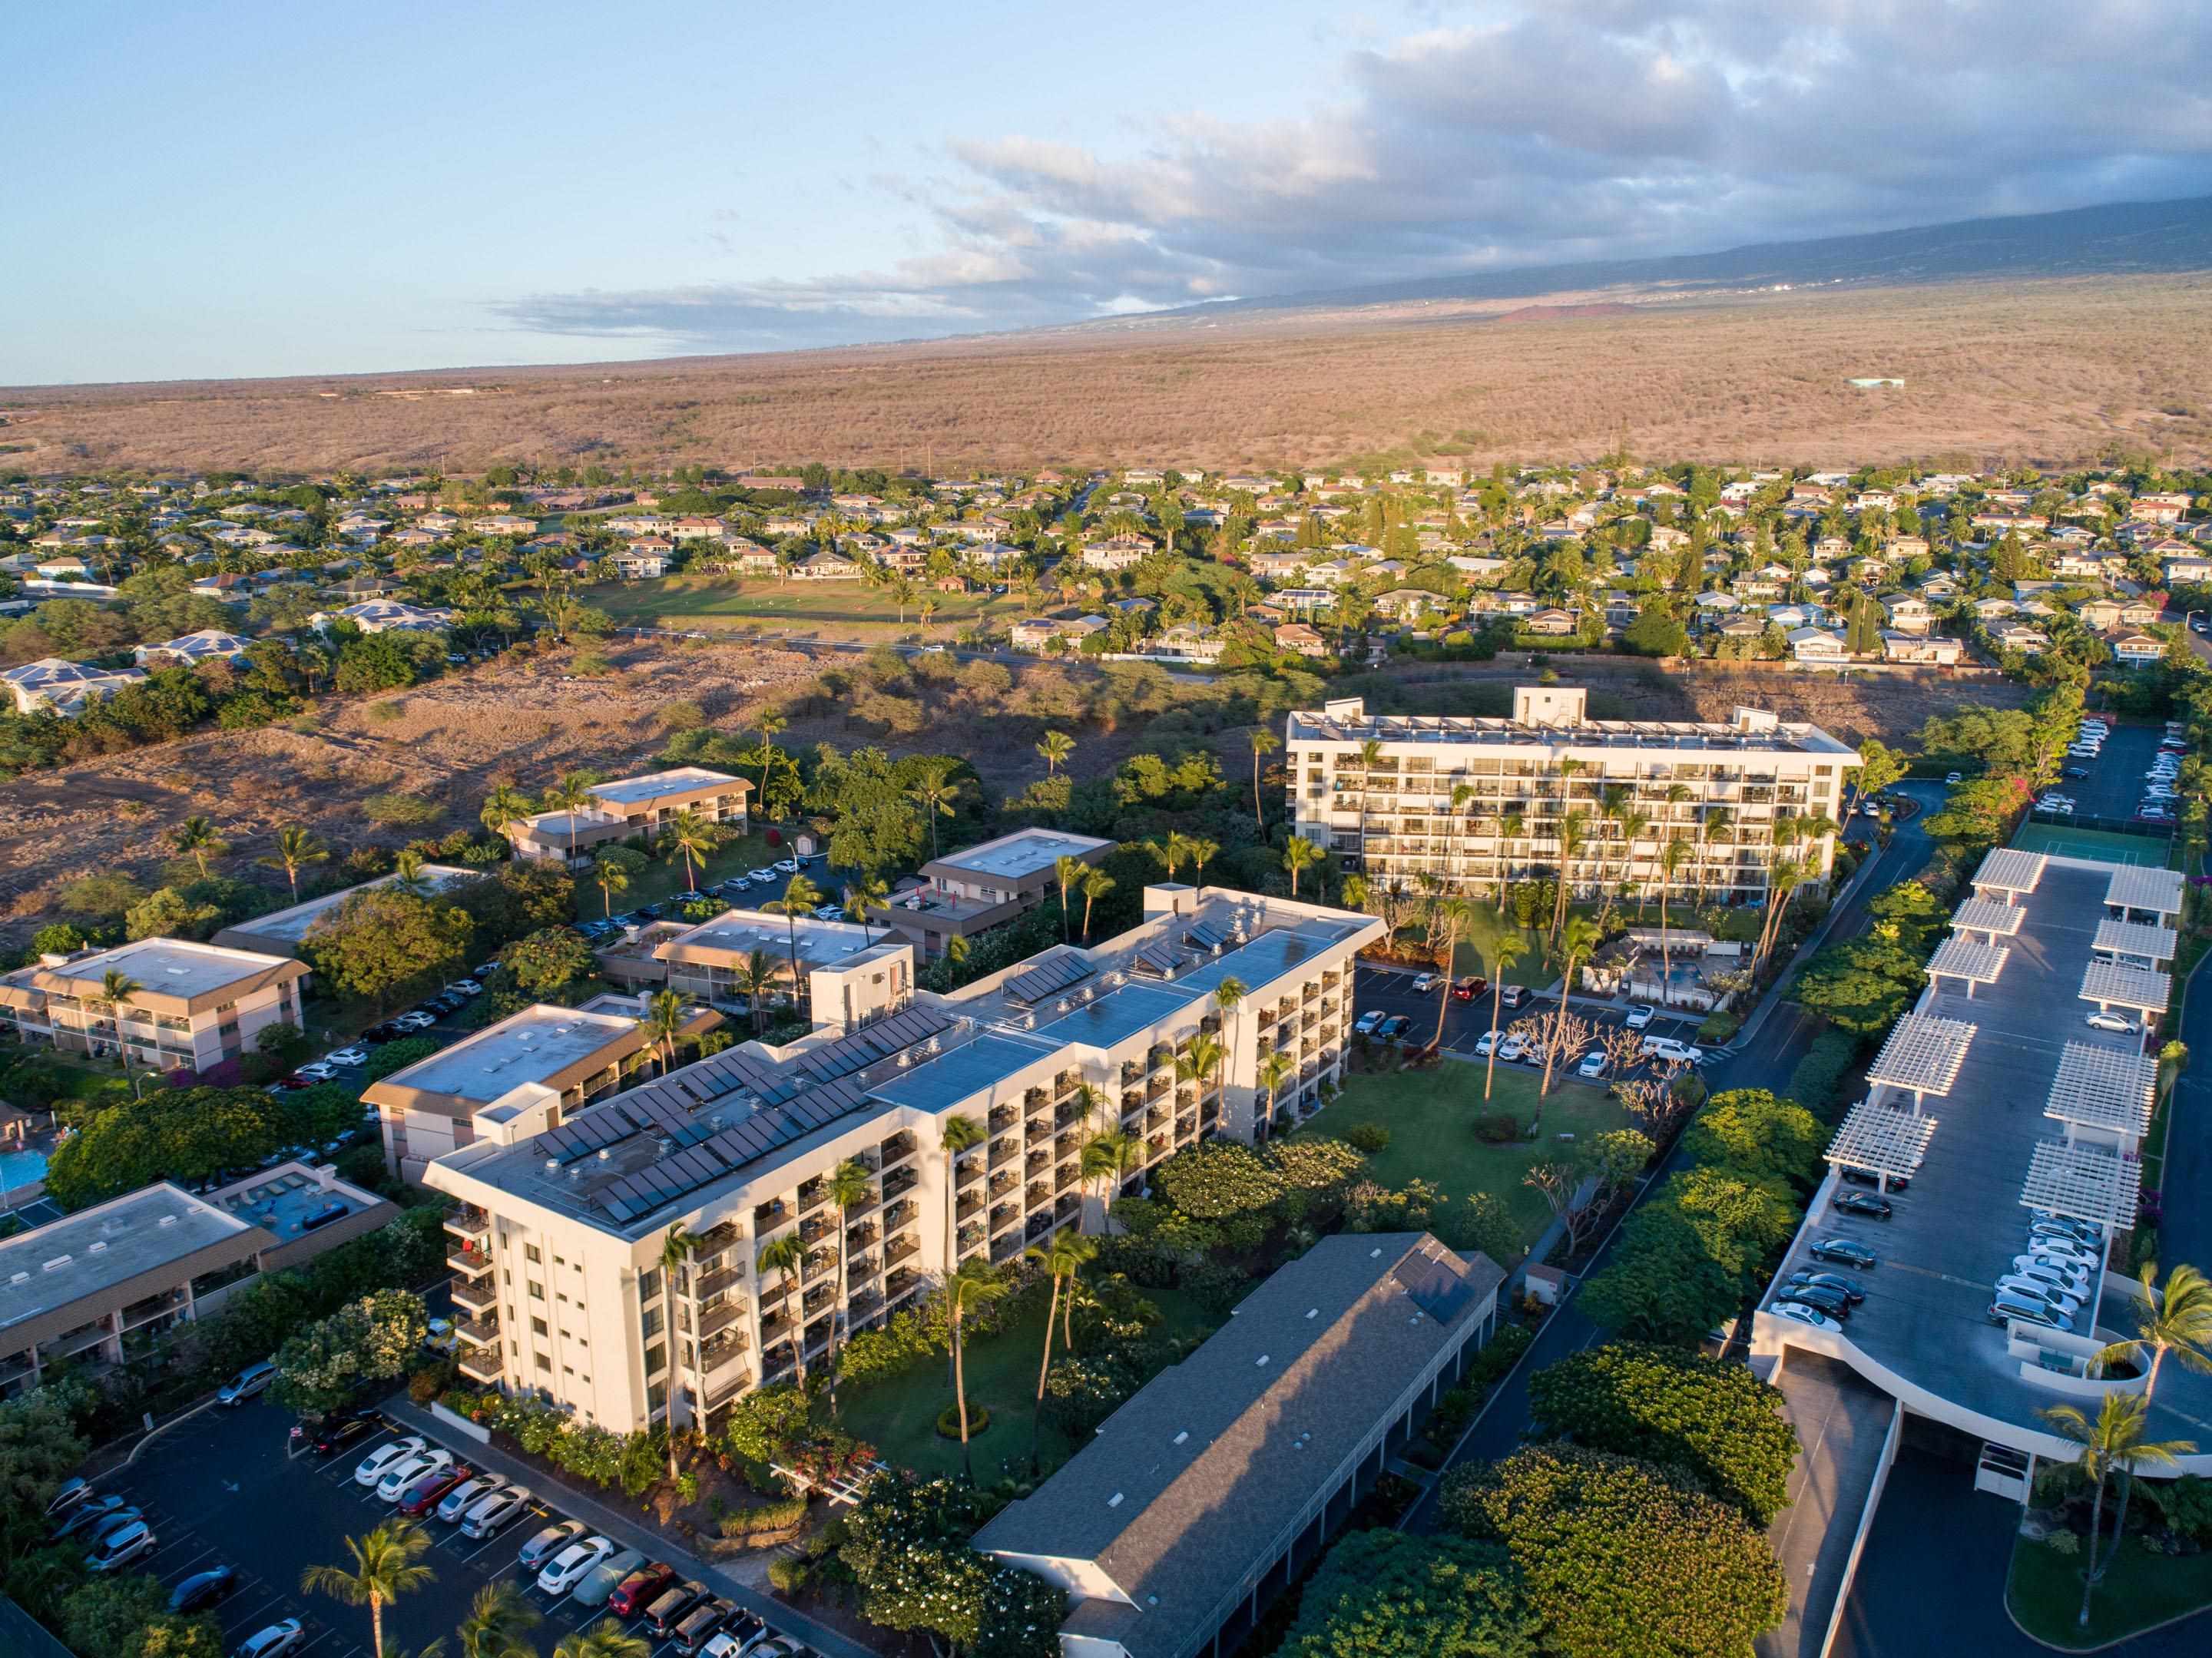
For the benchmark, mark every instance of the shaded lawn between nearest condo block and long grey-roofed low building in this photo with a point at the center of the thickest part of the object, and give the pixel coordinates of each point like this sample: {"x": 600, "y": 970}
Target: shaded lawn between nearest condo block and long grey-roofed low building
{"x": 899, "y": 1414}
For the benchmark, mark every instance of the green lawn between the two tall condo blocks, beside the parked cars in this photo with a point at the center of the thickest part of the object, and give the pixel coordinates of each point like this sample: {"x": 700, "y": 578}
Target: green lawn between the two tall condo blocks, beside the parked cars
{"x": 1430, "y": 1117}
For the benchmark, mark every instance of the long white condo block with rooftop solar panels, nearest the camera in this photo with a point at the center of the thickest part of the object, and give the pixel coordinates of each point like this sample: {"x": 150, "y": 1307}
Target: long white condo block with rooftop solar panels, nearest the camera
{"x": 559, "y": 1250}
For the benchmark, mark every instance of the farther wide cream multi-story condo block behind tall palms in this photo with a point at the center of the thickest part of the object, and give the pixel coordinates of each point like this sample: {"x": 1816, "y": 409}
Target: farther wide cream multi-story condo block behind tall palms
{"x": 1479, "y": 804}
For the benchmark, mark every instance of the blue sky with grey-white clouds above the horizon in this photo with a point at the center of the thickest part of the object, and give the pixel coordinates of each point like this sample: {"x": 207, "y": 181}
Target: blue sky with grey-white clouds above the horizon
{"x": 280, "y": 189}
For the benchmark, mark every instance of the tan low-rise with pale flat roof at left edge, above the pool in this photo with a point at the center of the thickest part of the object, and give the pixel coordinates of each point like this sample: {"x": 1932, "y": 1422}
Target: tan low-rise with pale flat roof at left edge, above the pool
{"x": 189, "y": 1005}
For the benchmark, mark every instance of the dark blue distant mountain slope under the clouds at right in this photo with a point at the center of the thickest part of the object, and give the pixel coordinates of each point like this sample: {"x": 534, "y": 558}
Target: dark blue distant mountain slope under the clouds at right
{"x": 2116, "y": 240}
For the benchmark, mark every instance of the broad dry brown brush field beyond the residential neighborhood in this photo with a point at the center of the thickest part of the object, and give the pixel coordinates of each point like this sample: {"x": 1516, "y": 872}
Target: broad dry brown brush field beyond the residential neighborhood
{"x": 2052, "y": 370}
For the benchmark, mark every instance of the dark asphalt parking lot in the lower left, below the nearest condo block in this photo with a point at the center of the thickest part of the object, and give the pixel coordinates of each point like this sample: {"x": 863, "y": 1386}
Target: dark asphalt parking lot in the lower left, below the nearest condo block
{"x": 227, "y": 1489}
